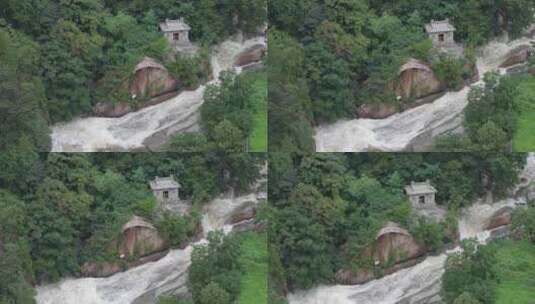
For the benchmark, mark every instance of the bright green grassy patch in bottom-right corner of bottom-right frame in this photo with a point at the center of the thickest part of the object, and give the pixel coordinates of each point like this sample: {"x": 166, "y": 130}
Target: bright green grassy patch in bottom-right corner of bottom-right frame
{"x": 516, "y": 272}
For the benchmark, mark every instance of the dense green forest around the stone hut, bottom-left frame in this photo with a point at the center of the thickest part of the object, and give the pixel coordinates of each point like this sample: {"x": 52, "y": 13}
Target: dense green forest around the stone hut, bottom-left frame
{"x": 58, "y": 211}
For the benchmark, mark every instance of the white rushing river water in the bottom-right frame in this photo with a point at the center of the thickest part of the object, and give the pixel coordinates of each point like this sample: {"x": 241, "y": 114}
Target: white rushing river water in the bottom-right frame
{"x": 419, "y": 284}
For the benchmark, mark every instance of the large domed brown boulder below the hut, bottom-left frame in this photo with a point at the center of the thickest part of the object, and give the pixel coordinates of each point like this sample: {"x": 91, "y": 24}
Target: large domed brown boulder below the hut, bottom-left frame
{"x": 140, "y": 238}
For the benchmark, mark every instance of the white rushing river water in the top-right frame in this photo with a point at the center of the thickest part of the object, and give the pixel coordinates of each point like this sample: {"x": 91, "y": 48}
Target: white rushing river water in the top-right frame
{"x": 399, "y": 131}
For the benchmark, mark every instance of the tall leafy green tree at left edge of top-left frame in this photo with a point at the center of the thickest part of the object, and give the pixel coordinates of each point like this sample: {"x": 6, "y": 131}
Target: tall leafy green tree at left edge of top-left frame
{"x": 23, "y": 118}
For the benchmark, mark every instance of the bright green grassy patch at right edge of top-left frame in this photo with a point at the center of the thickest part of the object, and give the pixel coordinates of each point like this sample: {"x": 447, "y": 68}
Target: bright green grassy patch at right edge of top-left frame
{"x": 258, "y": 137}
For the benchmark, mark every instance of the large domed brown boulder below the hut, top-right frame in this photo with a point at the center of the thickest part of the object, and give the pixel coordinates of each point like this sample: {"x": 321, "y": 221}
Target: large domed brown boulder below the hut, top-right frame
{"x": 417, "y": 80}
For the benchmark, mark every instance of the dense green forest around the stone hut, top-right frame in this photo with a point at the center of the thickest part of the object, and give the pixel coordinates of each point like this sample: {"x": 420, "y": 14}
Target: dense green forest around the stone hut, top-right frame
{"x": 329, "y": 57}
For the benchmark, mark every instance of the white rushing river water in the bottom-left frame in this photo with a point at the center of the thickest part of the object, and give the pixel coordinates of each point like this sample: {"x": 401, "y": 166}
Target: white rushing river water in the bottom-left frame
{"x": 143, "y": 284}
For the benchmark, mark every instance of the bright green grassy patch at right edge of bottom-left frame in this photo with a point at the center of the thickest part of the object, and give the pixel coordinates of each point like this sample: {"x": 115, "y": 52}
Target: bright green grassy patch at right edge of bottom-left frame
{"x": 254, "y": 260}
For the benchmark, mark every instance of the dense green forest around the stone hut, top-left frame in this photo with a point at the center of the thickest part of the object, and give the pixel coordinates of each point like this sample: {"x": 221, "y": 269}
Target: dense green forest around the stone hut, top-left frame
{"x": 59, "y": 58}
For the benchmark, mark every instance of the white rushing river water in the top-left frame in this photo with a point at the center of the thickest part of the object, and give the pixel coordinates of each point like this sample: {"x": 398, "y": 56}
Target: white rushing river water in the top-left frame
{"x": 179, "y": 114}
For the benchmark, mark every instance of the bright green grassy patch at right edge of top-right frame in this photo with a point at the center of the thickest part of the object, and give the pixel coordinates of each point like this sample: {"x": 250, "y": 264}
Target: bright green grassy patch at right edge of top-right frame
{"x": 524, "y": 140}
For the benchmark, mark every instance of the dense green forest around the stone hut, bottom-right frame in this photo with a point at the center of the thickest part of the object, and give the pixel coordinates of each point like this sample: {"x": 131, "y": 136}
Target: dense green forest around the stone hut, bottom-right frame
{"x": 327, "y": 208}
